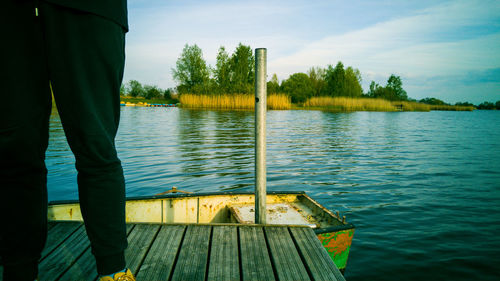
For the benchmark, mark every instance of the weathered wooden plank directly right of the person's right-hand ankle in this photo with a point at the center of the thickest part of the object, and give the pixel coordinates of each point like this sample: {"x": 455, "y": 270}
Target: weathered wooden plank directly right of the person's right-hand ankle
{"x": 140, "y": 240}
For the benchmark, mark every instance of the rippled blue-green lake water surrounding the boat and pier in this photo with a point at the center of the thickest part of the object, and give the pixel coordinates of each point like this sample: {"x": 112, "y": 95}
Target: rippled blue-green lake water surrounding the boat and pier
{"x": 422, "y": 189}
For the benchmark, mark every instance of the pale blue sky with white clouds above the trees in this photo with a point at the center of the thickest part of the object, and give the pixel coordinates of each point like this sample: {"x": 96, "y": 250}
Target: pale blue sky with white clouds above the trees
{"x": 449, "y": 50}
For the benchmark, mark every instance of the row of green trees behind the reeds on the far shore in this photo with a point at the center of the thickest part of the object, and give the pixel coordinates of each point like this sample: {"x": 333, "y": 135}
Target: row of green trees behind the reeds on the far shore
{"x": 234, "y": 73}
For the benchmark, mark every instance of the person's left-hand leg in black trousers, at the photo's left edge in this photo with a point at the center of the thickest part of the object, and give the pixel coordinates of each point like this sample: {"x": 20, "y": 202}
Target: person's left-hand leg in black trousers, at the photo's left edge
{"x": 24, "y": 117}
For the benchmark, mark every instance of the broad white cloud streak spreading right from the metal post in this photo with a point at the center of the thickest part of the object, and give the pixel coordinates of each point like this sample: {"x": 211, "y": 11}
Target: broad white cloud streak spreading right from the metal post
{"x": 414, "y": 45}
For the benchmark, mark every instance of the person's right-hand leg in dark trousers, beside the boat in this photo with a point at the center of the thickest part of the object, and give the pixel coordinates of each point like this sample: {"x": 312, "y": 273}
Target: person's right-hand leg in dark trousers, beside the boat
{"x": 86, "y": 60}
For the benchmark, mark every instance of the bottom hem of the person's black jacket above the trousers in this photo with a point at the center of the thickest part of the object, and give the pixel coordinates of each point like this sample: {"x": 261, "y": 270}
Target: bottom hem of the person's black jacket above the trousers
{"x": 115, "y": 10}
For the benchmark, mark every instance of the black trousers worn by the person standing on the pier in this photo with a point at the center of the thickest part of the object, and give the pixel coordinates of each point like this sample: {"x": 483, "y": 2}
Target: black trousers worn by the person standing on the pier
{"x": 81, "y": 56}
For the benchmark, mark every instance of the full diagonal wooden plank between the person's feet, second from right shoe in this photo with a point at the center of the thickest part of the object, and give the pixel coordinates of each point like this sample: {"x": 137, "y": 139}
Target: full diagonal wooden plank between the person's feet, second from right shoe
{"x": 56, "y": 263}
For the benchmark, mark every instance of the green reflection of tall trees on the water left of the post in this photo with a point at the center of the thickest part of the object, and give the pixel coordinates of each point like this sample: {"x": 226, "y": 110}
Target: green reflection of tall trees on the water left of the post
{"x": 217, "y": 144}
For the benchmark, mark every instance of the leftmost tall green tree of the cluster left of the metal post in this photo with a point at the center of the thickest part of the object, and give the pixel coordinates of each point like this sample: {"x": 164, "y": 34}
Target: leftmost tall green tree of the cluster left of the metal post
{"x": 191, "y": 71}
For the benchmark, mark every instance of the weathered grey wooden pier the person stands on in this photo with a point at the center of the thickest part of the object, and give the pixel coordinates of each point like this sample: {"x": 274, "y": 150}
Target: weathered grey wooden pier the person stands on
{"x": 195, "y": 252}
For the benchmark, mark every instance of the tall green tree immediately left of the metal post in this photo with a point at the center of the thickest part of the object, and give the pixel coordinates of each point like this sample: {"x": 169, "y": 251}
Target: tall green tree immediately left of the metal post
{"x": 242, "y": 70}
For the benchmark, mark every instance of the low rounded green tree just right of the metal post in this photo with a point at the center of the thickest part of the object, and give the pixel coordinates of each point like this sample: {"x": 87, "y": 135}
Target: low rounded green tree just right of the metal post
{"x": 299, "y": 87}
